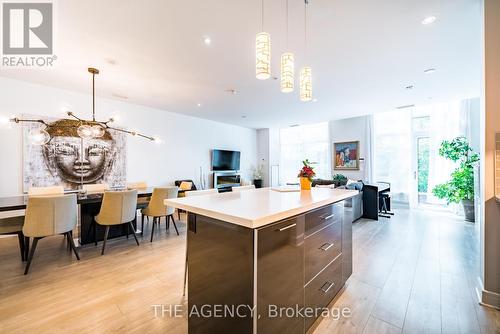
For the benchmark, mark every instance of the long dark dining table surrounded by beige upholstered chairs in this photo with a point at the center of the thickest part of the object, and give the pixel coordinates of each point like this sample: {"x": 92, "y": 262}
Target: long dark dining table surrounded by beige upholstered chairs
{"x": 89, "y": 206}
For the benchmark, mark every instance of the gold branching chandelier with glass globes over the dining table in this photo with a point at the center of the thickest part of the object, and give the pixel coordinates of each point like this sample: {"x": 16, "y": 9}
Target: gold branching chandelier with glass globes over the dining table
{"x": 86, "y": 129}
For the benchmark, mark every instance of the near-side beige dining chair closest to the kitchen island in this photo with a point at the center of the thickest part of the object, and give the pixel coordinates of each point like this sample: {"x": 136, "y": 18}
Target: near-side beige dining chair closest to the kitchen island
{"x": 157, "y": 209}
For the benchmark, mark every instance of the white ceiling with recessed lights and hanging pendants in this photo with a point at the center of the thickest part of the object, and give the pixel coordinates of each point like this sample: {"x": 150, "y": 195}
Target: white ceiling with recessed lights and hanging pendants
{"x": 363, "y": 53}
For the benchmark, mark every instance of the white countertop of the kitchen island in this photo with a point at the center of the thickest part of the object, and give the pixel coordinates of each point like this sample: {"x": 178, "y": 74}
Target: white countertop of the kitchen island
{"x": 259, "y": 207}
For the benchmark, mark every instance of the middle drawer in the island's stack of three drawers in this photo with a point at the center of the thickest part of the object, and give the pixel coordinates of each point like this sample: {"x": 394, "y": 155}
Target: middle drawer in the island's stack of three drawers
{"x": 321, "y": 248}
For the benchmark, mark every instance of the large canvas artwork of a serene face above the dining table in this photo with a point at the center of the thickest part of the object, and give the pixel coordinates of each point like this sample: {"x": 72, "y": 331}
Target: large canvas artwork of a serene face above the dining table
{"x": 71, "y": 161}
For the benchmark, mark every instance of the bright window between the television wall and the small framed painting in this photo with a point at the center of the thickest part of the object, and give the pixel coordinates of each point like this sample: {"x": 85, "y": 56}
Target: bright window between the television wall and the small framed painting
{"x": 304, "y": 142}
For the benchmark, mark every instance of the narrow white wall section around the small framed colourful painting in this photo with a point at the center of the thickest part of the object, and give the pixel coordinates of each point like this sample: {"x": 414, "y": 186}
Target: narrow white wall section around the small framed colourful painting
{"x": 352, "y": 129}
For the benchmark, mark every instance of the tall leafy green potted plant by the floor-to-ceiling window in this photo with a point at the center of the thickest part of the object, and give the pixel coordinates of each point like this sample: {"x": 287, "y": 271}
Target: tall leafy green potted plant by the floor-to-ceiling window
{"x": 460, "y": 188}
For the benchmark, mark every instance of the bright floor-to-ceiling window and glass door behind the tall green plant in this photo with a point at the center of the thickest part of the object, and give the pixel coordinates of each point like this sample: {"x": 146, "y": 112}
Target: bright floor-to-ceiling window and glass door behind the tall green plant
{"x": 407, "y": 142}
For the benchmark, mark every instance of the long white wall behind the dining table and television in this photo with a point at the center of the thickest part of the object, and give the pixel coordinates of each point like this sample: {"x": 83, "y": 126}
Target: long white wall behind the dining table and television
{"x": 186, "y": 146}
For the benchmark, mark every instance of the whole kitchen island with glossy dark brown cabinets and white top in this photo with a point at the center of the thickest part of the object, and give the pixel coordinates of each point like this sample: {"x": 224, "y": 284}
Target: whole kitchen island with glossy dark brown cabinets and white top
{"x": 264, "y": 261}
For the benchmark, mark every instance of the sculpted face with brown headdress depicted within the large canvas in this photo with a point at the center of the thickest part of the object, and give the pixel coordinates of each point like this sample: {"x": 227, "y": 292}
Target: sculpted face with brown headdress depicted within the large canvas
{"x": 76, "y": 160}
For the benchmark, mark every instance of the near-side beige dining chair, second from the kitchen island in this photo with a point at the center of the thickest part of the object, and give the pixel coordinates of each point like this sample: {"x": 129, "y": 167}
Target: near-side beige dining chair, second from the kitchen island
{"x": 117, "y": 208}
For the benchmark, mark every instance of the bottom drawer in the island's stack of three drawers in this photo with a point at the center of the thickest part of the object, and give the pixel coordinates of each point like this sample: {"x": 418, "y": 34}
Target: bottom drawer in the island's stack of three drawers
{"x": 322, "y": 289}
